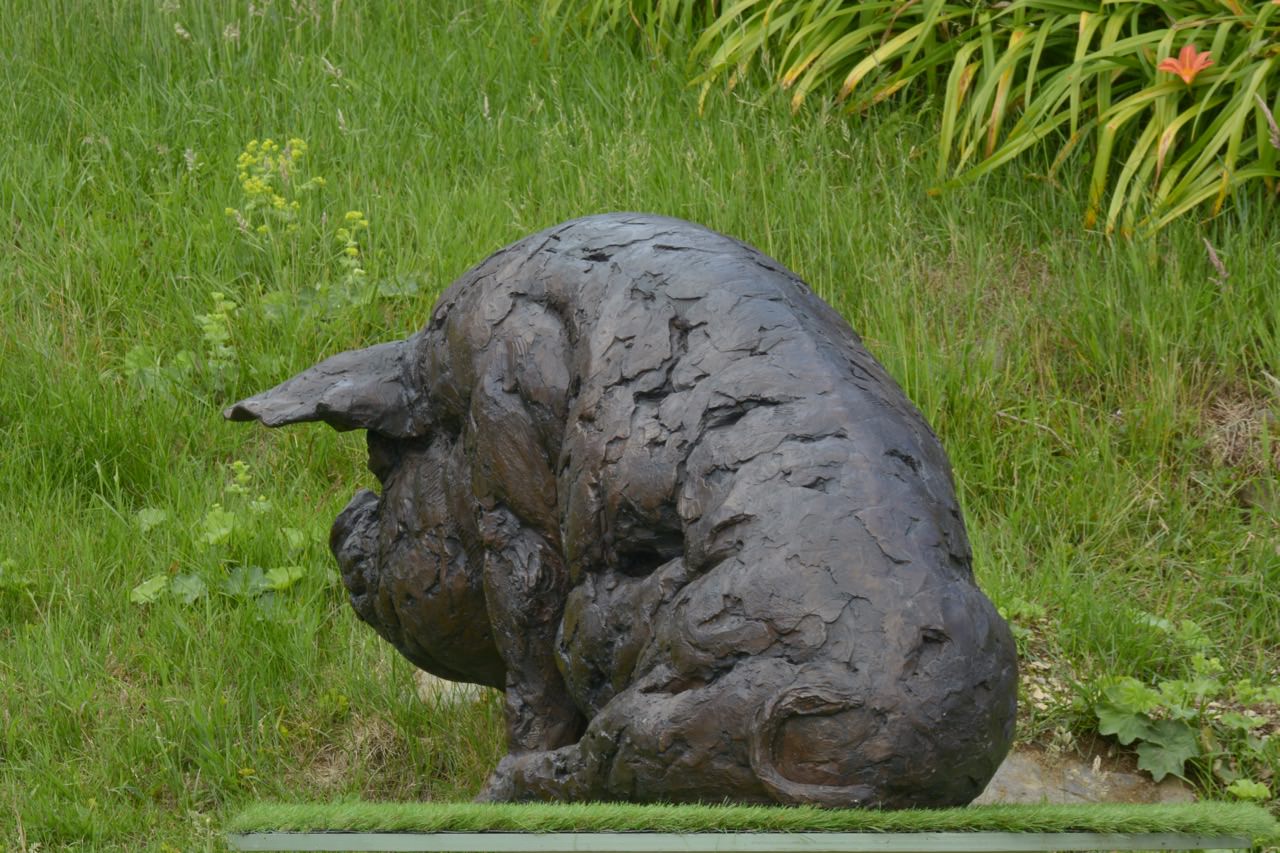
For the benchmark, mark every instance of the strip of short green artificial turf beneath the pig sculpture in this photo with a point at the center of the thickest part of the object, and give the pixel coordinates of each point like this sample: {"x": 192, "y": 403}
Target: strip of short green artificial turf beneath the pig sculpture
{"x": 1208, "y": 819}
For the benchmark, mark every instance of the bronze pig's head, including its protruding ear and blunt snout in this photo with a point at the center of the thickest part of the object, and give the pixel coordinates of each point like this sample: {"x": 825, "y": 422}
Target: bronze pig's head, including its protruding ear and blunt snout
{"x": 404, "y": 555}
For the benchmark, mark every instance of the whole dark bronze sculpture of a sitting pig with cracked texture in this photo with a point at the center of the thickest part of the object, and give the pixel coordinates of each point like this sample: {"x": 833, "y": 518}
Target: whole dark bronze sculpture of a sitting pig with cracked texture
{"x": 639, "y": 477}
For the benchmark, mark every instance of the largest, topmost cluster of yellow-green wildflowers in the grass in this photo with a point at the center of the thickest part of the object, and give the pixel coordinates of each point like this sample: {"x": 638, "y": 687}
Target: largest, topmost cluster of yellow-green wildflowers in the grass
{"x": 268, "y": 176}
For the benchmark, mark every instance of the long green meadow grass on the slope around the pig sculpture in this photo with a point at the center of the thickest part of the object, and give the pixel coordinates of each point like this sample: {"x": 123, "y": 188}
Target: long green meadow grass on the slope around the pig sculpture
{"x": 1078, "y": 386}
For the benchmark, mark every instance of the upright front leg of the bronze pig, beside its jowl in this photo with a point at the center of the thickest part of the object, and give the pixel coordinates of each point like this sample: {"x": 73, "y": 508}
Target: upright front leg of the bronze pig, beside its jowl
{"x": 525, "y": 585}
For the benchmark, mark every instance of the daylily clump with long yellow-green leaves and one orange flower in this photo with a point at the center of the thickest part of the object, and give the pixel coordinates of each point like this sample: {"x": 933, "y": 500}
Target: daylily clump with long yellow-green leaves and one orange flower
{"x": 1028, "y": 76}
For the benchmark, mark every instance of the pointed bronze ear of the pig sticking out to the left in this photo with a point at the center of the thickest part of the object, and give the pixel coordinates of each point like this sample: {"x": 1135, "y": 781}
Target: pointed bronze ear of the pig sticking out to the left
{"x": 371, "y": 389}
